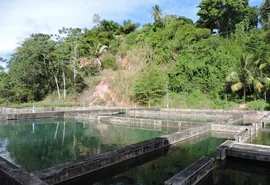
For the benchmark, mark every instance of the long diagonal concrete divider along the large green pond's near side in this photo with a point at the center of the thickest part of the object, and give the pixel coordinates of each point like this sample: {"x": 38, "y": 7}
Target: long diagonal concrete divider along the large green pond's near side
{"x": 78, "y": 168}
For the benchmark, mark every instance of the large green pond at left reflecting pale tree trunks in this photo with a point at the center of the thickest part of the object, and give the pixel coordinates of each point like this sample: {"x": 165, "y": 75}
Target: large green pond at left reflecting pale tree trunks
{"x": 42, "y": 143}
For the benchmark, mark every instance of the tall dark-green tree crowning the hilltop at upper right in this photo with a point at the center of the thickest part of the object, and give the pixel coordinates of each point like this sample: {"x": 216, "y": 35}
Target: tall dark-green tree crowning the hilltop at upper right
{"x": 224, "y": 15}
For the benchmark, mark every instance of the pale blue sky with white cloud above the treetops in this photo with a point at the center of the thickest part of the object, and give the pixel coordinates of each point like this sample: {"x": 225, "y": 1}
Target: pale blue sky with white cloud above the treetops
{"x": 20, "y": 18}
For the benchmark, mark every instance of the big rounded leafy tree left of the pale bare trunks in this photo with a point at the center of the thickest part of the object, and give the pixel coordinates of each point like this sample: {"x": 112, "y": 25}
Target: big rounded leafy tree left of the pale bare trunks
{"x": 29, "y": 68}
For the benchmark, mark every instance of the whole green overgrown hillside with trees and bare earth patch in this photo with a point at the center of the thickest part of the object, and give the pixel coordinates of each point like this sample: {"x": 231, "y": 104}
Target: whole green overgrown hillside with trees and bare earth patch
{"x": 218, "y": 62}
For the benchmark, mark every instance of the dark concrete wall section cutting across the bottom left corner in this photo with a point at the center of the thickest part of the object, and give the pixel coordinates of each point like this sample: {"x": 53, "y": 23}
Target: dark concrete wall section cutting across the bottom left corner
{"x": 13, "y": 175}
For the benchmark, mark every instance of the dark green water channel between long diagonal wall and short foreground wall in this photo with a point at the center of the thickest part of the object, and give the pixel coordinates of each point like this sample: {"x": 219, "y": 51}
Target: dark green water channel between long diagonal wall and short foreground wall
{"x": 157, "y": 167}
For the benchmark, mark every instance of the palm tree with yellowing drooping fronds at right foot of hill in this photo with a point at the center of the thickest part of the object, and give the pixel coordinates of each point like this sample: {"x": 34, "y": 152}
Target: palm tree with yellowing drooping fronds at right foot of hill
{"x": 246, "y": 75}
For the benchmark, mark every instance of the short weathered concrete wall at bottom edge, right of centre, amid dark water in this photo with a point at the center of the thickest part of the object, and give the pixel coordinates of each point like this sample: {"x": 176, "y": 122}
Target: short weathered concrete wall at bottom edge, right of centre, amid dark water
{"x": 192, "y": 174}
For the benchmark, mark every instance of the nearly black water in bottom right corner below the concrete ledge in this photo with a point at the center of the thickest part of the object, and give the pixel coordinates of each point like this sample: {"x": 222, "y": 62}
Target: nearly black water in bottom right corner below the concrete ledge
{"x": 235, "y": 171}
